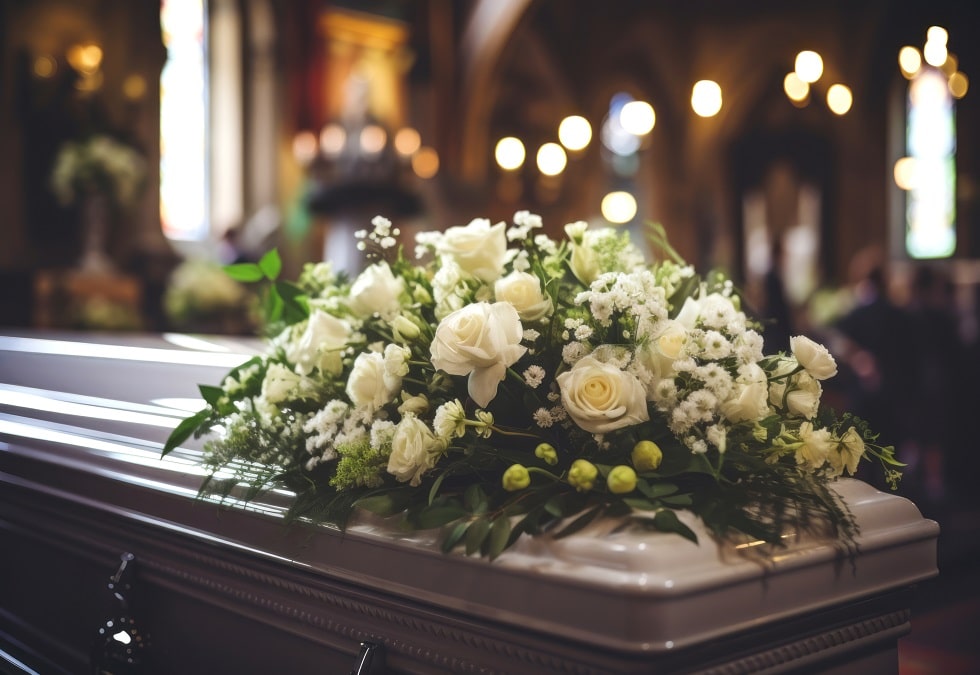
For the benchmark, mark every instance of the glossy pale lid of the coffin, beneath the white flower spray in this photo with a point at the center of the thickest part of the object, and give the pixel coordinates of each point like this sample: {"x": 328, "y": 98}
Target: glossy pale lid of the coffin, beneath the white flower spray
{"x": 105, "y": 412}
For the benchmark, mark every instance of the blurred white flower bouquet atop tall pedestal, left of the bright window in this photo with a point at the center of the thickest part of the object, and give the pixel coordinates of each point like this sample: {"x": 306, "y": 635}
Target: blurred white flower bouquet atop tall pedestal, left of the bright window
{"x": 99, "y": 164}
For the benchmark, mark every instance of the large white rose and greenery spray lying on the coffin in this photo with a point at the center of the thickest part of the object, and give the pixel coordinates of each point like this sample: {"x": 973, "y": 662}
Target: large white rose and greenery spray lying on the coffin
{"x": 506, "y": 383}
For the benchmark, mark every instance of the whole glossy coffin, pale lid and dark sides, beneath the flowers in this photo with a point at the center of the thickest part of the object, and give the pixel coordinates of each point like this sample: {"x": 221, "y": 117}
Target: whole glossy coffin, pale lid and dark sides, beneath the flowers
{"x": 229, "y": 588}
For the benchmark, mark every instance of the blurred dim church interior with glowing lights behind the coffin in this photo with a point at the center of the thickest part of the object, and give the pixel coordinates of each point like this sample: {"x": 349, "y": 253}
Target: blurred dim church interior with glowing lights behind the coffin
{"x": 826, "y": 155}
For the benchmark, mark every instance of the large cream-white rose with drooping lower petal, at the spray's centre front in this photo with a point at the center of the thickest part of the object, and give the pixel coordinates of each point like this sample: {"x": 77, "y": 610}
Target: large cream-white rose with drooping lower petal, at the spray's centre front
{"x": 480, "y": 340}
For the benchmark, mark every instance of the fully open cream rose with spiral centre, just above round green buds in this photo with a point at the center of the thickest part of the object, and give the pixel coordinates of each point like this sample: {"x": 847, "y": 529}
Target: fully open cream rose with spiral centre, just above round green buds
{"x": 600, "y": 397}
